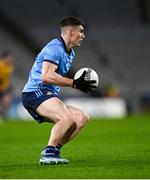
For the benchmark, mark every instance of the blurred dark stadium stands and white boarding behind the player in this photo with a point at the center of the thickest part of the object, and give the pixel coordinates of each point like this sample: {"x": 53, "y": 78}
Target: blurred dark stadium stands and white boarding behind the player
{"x": 117, "y": 47}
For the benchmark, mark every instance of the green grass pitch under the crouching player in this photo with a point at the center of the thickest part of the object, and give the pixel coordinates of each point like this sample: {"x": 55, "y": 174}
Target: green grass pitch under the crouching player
{"x": 104, "y": 149}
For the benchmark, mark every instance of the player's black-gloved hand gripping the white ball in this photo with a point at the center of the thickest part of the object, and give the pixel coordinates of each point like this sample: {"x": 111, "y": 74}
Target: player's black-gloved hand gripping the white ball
{"x": 82, "y": 84}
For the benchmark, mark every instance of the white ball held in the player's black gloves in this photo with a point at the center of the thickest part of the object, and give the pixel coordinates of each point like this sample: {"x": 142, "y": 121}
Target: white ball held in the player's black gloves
{"x": 90, "y": 75}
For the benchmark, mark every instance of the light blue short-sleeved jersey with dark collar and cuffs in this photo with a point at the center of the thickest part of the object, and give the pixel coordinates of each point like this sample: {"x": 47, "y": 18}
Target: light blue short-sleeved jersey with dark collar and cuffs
{"x": 55, "y": 52}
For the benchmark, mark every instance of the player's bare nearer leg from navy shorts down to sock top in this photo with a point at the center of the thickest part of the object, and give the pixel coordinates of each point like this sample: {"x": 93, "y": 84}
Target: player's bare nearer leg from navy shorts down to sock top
{"x": 55, "y": 111}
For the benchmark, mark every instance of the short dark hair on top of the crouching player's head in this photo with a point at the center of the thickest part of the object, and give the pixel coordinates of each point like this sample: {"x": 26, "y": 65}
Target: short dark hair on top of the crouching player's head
{"x": 72, "y": 21}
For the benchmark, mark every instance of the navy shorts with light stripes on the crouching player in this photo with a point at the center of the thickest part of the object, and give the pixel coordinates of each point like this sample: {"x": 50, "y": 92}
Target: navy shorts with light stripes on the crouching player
{"x": 31, "y": 100}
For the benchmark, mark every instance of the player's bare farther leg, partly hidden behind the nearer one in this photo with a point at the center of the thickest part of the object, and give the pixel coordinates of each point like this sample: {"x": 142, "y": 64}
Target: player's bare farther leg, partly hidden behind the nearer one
{"x": 80, "y": 118}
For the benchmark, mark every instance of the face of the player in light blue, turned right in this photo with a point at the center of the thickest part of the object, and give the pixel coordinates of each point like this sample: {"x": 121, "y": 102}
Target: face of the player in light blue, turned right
{"x": 77, "y": 35}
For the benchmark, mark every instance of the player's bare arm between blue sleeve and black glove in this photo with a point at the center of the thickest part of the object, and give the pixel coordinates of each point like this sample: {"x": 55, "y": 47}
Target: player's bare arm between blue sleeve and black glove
{"x": 50, "y": 76}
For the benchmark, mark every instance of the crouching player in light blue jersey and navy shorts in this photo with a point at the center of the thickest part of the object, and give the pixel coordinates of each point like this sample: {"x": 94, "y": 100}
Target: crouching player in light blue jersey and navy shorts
{"x": 40, "y": 94}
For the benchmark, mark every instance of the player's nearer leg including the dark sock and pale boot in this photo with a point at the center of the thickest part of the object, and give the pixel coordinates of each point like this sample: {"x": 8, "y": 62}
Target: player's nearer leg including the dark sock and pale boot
{"x": 53, "y": 110}
